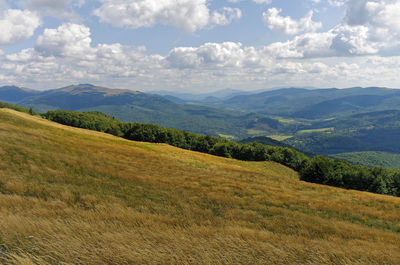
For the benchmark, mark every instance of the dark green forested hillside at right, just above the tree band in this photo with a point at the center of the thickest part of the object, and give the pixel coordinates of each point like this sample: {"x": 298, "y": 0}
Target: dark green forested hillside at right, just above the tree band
{"x": 374, "y": 131}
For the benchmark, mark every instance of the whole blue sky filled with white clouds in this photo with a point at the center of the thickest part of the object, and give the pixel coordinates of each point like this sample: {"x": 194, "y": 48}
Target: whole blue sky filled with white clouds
{"x": 200, "y": 46}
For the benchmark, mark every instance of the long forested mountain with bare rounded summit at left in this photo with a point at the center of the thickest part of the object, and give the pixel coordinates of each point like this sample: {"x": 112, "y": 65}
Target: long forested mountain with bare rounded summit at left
{"x": 134, "y": 106}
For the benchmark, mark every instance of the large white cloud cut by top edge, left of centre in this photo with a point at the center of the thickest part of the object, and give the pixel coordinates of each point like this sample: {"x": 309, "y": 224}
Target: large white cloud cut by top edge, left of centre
{"x": 187, "y": 15}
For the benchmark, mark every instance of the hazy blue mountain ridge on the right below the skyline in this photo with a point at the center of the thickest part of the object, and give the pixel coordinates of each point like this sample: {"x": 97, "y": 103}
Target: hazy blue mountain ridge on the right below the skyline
{"x": 317, "y": 103}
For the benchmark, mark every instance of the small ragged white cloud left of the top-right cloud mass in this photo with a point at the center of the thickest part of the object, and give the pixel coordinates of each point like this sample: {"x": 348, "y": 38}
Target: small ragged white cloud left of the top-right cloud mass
{"x": 288, "y": 25}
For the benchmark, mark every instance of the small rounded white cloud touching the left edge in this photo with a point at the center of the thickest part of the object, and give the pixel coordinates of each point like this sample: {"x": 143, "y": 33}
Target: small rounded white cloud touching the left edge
{"x": 17, "y": 25}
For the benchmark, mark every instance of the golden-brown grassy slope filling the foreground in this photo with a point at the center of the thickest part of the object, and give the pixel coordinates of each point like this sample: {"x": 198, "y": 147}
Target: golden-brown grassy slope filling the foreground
{"x": 71, "y": 196}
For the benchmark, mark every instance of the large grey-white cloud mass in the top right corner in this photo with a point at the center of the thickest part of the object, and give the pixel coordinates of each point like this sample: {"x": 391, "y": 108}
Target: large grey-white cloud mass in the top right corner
{"x": 369, "y": 27}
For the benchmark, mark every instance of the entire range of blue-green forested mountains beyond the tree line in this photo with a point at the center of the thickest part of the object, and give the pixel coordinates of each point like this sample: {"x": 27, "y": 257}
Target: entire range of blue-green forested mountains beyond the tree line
{"x": 320, "y": 121}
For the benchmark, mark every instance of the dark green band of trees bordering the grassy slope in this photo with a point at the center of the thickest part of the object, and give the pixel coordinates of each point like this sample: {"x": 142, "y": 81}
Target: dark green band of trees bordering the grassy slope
{"x": 318, "y": 169}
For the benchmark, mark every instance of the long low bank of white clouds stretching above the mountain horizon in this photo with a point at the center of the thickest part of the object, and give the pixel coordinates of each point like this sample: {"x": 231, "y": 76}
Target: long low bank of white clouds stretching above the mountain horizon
{"x": 216, "y": 65}
